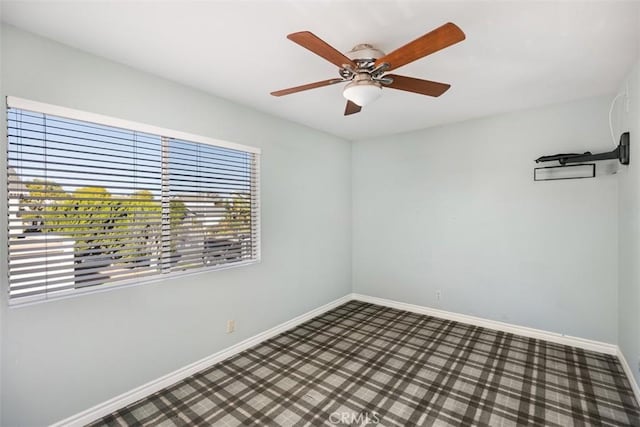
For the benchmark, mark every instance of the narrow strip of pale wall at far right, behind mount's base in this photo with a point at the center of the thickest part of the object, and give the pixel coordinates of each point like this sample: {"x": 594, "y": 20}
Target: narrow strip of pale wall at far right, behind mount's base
{"x": 629, "y": 226}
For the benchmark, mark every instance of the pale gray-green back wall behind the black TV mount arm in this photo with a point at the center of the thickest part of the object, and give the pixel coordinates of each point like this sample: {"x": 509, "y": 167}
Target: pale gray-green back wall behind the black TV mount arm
{"x": 455, "y": 208}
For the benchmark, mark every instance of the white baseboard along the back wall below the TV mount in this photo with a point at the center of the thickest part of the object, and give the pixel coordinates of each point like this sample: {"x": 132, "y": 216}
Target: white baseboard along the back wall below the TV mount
{"x": 586, "y": 344}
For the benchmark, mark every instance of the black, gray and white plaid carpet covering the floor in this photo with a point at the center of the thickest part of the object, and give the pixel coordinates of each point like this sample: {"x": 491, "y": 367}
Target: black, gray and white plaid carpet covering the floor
{"x": 365, "y": 364}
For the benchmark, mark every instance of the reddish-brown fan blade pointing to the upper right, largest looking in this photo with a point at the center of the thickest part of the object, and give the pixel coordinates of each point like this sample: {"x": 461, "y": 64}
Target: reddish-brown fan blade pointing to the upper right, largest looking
{"x": 438, "y": 39}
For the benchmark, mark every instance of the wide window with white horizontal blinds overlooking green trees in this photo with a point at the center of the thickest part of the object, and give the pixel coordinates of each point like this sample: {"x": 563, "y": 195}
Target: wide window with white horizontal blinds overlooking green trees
{"x": 95, "y": 201}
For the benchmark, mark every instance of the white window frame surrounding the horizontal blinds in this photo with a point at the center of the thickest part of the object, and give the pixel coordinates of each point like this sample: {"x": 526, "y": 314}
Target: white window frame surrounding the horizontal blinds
{"x": 69, "y": 113}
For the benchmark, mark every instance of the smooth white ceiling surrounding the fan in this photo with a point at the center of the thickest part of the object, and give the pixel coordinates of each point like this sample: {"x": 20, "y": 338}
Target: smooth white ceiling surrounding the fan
{"x": 517, "y": 54}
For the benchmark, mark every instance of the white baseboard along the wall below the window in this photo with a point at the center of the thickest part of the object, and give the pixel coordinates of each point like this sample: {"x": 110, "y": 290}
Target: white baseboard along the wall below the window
{"x": 111, "y": 405}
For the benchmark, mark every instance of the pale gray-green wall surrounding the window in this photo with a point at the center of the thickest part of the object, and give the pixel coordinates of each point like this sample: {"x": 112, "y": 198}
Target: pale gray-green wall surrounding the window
{"x": 62, "y": 357}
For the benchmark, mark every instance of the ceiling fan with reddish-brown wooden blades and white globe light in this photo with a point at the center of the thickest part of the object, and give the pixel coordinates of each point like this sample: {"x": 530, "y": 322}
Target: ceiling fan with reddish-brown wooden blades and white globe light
{"x": 364, "y": 66}
